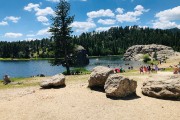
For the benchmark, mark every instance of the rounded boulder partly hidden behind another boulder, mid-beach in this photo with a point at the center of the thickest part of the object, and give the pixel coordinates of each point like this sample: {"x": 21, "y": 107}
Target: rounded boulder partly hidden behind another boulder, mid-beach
{"x": 99, "y": 76}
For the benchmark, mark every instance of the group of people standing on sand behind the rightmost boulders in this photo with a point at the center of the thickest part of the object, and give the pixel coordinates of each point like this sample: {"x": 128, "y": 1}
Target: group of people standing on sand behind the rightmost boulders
{"x": 148, "y": 69}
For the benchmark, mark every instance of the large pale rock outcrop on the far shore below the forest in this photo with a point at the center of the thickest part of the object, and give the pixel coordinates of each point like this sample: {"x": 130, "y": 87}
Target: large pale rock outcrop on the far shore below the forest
{"x": 136, "y": 52}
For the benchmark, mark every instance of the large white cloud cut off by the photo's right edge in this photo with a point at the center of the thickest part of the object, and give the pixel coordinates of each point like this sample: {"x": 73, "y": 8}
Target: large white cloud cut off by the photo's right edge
{"x": 166, "y": 19}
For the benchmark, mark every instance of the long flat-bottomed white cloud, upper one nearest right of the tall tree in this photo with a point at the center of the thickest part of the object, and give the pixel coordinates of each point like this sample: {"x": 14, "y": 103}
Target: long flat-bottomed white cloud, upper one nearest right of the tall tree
{"x": 100, "y": 13}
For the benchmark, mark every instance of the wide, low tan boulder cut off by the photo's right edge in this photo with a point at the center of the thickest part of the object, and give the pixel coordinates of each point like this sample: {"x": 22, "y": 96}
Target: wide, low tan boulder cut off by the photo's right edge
{"x": 169, "y": 88}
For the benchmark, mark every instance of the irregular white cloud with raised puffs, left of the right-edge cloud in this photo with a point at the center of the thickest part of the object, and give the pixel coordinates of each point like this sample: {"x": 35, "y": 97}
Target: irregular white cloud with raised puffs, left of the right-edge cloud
{"x": 130, "y": 16}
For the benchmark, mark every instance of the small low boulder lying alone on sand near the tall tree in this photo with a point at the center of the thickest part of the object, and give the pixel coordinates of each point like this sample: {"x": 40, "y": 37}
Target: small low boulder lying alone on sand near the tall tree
{"x": 55, "y": 81}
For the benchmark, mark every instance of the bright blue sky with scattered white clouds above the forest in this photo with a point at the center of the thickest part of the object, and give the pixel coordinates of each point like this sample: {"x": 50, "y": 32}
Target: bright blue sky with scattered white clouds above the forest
{"x": 30, "y": 19}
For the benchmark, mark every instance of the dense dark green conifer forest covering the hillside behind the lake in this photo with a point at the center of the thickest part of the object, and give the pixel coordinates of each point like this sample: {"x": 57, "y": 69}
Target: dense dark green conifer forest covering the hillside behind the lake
{"x": 115, "y": 41}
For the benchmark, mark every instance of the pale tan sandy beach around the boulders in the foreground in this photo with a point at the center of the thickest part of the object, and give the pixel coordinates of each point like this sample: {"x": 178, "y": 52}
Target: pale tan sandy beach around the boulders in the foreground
{"x": 77, "y": 102}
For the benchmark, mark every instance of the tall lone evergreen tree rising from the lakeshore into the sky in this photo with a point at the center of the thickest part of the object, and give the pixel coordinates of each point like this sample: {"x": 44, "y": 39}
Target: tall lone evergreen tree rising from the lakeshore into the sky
{"x": 61, "y": 31}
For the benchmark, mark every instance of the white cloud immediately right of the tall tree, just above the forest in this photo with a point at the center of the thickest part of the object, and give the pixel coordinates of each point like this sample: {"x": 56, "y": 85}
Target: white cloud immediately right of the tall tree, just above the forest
{"x": 83, "y": 26}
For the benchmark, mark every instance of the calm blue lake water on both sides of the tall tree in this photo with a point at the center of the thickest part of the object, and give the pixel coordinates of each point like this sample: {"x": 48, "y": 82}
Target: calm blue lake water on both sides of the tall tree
{"x": 33, "y": 67}
